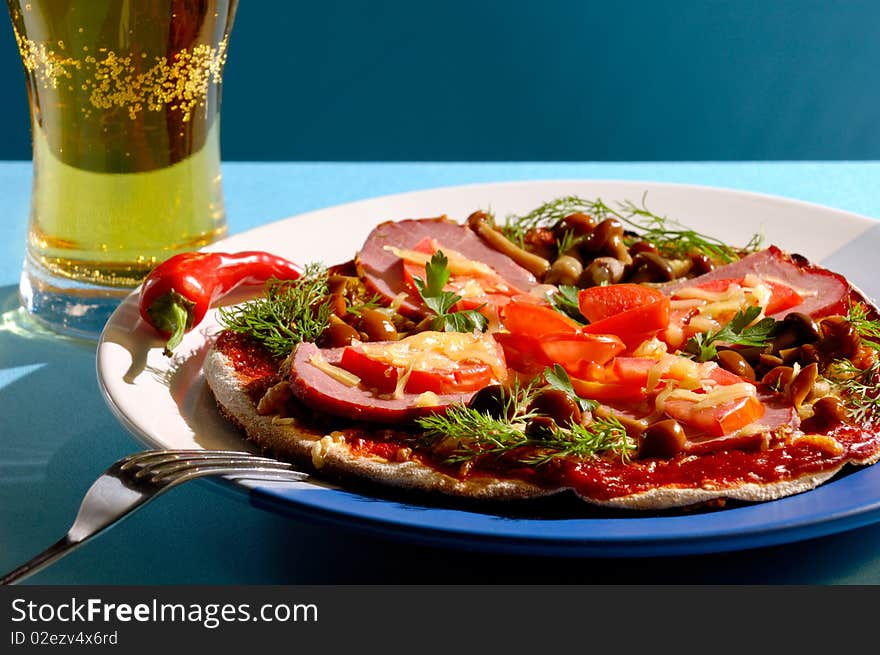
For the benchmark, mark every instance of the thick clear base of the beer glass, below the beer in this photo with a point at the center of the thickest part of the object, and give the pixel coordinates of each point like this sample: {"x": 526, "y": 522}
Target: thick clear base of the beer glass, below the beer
{"x": 66, "y": 306}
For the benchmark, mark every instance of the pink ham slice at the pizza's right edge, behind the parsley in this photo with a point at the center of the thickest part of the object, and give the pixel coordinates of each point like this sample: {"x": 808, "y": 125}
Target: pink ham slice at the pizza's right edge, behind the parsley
{"x": 824, "y": 292}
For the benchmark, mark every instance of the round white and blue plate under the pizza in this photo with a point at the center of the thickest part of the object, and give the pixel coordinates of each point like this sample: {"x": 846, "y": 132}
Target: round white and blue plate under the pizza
{"x": 164, "y": 402}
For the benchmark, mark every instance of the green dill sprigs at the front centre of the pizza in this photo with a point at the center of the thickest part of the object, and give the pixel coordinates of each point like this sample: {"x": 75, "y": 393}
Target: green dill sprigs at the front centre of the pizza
{"x": 463, "y": 434}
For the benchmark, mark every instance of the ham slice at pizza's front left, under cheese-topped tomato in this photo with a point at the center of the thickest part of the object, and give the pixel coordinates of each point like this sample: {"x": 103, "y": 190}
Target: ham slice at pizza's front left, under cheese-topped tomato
{"x": 326, "y": 394}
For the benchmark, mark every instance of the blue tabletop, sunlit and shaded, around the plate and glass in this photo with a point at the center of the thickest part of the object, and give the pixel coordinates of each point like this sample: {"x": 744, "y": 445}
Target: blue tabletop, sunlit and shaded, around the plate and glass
{"x": 57, "y": 435}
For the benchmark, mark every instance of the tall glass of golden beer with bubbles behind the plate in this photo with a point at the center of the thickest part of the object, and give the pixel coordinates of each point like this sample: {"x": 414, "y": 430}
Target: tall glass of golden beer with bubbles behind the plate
{"x": 125, "y": 122}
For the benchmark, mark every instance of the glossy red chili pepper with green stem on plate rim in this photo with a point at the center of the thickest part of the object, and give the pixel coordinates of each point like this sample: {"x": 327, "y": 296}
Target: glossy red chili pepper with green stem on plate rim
{"x": 178, "y": 293}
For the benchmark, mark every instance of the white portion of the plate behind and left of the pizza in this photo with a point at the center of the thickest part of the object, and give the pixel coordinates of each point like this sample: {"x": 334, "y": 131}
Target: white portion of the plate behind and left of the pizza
{"x": 165, "y": 402}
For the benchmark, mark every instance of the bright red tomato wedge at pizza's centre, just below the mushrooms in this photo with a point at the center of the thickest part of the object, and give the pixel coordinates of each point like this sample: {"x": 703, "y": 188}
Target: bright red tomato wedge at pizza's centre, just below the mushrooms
{"x": 631, "y": 311}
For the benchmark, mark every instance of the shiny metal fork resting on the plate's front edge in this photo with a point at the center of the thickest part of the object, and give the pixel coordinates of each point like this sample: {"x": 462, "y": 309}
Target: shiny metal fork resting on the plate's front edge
{"x": 135, "y": 480}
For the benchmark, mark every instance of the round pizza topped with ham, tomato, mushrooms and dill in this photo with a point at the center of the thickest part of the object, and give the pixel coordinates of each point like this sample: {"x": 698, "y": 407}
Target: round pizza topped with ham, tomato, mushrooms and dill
{"x": 580, "y": 349}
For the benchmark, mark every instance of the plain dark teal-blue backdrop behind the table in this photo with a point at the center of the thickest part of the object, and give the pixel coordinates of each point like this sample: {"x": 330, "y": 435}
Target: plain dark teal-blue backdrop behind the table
{"x": 553, "y": 80}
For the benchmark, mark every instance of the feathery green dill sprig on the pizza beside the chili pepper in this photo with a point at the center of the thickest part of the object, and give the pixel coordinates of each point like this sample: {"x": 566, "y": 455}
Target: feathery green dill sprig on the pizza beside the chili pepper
{"x": 290, "y": 311}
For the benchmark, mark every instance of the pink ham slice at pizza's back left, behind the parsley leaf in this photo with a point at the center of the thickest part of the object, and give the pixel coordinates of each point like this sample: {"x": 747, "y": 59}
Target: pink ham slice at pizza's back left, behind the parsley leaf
{"x": 383, "y": 273}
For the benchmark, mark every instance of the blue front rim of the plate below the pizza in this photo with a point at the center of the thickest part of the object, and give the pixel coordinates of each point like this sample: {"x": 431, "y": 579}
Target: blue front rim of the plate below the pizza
{"x": 849, "y": 502}
